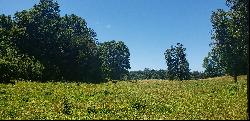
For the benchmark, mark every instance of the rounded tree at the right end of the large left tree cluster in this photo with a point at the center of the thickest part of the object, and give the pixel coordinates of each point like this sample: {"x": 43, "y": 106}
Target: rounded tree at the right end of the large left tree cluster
{"x": 115, "y": 59}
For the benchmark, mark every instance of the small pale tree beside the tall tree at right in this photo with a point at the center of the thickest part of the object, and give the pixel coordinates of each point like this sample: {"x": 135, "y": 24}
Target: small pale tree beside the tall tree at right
{"x": 212, "y": 65}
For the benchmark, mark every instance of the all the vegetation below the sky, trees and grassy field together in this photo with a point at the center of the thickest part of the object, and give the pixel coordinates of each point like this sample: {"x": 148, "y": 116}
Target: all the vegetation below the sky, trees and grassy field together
{"x": 39, "y": 45}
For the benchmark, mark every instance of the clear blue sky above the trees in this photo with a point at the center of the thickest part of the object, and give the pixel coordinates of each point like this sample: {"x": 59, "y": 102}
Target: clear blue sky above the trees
{"x": 147, "y": 27}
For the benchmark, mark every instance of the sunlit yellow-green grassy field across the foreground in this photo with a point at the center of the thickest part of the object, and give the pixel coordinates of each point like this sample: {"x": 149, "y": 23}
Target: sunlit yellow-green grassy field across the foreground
{"x": 215, "y": 98}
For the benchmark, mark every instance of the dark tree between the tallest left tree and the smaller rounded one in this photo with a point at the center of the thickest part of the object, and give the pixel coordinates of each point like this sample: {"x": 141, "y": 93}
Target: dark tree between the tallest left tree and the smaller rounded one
{"x": 79, "y": 59}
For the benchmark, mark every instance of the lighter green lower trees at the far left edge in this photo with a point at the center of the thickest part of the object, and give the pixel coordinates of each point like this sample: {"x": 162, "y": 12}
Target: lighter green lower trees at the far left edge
{"x": 13, "y": 64}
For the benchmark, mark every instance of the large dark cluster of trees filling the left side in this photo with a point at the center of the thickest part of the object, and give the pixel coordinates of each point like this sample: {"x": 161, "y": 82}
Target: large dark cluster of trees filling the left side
{"x": 40, "y": 44}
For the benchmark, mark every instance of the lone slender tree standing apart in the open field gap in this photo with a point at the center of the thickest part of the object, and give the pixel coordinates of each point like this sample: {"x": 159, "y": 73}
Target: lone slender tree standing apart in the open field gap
{"x": 178, "y": 66}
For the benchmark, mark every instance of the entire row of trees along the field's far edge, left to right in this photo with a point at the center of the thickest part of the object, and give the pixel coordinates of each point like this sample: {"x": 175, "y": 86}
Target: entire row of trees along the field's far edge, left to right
{"x": 40, "y": 44}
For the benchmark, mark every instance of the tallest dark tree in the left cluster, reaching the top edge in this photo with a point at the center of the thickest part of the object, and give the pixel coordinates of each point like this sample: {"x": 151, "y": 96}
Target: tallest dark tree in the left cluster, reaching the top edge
{"x": 41, "y": 25}
